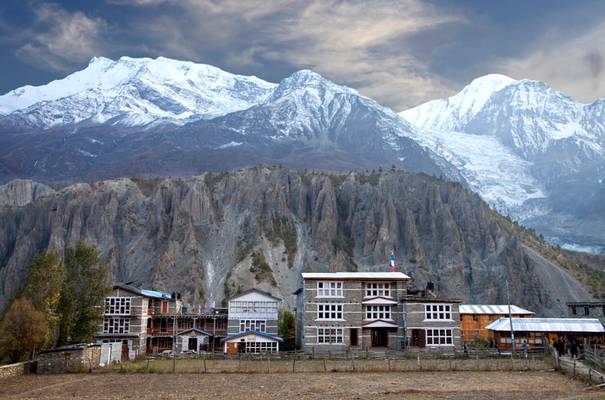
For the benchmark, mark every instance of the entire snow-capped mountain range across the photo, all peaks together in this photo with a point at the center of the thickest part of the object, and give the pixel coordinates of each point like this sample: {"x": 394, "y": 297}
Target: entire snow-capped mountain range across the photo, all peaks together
{"x": 529, "y": 150}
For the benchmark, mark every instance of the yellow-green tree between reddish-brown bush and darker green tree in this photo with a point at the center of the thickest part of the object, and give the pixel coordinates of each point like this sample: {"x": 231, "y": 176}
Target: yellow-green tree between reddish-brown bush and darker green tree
{"x": 44, "y": 282}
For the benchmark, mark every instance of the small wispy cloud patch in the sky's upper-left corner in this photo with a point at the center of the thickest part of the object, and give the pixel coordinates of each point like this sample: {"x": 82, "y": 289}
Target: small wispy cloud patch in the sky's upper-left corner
{"x": 60, "y": 39}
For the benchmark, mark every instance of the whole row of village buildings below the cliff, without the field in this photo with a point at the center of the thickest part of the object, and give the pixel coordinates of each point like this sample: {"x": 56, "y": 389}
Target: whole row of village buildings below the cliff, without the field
{"x": 350, "y": 314}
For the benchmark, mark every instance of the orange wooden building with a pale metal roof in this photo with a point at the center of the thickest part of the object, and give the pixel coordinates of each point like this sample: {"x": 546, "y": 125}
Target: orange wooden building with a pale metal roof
{"x": 474, "y": 318}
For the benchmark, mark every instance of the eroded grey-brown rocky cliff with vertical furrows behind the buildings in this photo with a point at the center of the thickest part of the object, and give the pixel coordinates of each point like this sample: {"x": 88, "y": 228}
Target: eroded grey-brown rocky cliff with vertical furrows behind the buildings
{"x": 212, "y": 235}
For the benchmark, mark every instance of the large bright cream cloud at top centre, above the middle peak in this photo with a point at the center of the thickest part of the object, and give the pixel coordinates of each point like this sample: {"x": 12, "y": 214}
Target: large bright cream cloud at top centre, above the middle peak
{"x": 363, "y": 45}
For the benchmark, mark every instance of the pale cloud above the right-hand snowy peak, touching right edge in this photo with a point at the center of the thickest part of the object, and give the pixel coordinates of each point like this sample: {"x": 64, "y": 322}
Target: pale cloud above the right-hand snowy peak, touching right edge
{"x": 573, "y": 65}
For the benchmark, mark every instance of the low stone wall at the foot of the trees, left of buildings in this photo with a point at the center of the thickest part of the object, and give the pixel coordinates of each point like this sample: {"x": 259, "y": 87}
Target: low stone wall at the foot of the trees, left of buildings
{"x": 75, "y": 359}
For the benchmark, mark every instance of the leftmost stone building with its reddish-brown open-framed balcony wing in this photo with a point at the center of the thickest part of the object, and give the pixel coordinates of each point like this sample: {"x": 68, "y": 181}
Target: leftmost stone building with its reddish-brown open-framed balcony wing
{"x": 149, "y": 321}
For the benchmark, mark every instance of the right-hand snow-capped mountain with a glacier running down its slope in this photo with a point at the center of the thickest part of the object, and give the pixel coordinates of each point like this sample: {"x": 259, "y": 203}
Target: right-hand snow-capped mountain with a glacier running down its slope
{"x": 527, "y": 149}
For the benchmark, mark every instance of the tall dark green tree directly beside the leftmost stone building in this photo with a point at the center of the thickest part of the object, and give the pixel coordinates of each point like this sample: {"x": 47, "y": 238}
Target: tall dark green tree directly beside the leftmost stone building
{"x": 84, "y": 291}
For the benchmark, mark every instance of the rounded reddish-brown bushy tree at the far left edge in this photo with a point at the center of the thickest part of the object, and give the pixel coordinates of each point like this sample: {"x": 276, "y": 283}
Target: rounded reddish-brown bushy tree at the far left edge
{"x": 22, "y": 330}
